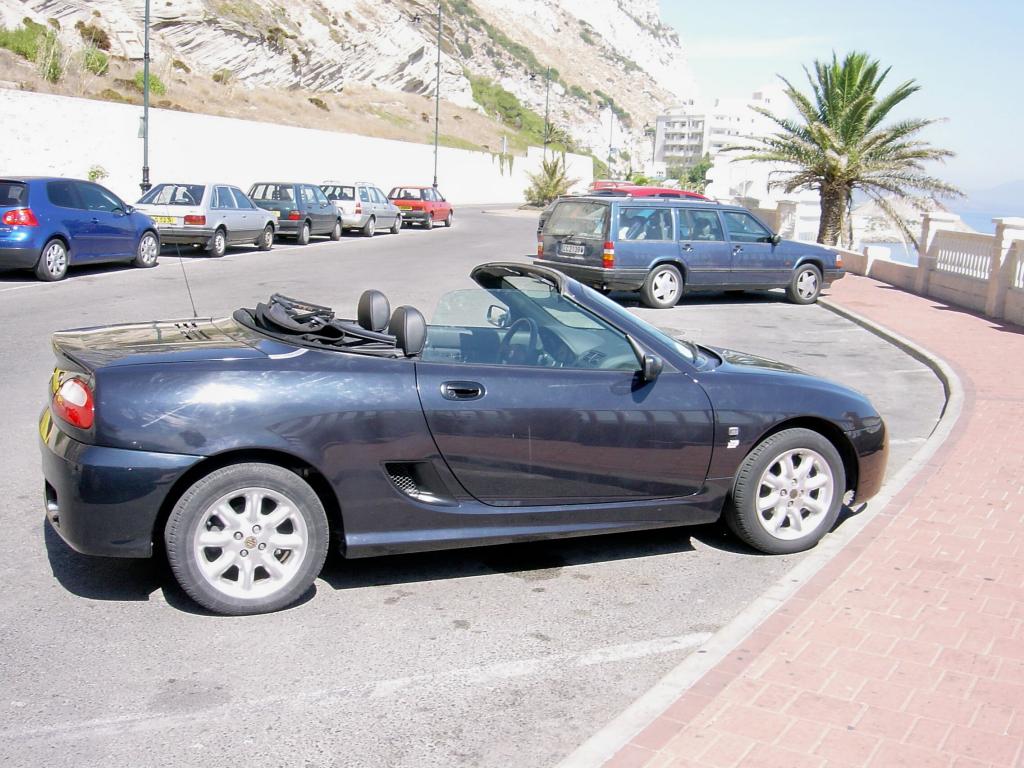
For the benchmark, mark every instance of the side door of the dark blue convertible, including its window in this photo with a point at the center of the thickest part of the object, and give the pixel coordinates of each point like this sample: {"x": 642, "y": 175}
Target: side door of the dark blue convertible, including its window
{"x": 530, "y": 434}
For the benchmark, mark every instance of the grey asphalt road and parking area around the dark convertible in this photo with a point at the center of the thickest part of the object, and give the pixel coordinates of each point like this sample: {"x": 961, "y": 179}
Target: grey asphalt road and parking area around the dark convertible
{"x": 497, "y": 657}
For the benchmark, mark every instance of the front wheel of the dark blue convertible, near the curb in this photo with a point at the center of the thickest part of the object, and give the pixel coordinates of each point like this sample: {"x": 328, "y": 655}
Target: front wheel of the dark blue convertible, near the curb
{"x": 788, "y": 493}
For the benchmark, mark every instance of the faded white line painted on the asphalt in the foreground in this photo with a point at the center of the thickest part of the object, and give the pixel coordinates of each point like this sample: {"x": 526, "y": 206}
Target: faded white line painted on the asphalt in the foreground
{"x": 479, "y": 676}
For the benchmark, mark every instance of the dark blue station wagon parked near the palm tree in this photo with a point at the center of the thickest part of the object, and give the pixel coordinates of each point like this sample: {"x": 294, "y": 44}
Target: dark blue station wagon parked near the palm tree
{"x": 666, "y": 248}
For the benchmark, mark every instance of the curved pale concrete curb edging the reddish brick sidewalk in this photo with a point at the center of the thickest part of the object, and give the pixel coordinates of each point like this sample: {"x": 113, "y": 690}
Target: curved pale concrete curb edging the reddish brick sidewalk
{"x": 603, "y": 746}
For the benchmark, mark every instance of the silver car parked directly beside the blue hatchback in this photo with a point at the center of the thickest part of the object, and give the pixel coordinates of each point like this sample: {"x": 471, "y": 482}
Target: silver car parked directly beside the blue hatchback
{"x": 209, "y": 217}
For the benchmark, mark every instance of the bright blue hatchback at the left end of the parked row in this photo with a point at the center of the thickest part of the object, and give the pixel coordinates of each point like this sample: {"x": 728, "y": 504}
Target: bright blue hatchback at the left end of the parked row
{"x": 49, "y": 225}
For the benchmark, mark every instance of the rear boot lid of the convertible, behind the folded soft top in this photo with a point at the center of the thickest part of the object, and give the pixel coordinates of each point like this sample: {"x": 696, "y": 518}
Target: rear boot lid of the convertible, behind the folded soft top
{"x": 160, "y": 342}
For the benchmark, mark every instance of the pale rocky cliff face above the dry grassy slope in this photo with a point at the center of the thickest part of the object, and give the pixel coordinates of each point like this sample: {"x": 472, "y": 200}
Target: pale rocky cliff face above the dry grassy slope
{"x": 608, "y": 61}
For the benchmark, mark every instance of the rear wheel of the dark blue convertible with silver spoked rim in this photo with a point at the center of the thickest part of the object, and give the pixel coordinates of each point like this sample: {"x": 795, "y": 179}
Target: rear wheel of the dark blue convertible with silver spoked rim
{"x": 247, "y": 539}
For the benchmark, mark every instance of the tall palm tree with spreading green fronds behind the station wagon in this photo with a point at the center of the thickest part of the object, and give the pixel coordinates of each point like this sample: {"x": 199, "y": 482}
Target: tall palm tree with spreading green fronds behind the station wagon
{"x": 839, "y": 144}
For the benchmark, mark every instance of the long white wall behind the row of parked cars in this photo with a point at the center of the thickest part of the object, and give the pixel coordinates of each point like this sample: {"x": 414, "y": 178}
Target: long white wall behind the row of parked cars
{"x": 41, "y": 135}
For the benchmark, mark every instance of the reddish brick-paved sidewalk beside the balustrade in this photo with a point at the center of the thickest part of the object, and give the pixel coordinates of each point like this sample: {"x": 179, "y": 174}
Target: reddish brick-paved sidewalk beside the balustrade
{"x": 908, "y": 650}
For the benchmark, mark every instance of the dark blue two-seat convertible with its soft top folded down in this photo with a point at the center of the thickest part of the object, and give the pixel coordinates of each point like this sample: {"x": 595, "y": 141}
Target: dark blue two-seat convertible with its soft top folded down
{"x": 531, "y": 408}
